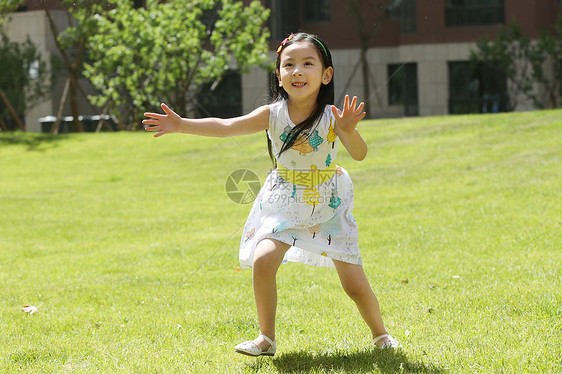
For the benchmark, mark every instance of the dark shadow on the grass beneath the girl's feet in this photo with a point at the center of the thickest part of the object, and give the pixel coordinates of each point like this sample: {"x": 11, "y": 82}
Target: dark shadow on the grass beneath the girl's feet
{"x": 364, "y": 361}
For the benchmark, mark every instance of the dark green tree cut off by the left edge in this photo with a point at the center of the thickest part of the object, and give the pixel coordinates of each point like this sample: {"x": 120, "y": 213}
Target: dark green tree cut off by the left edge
{"x": 25, "y": 86}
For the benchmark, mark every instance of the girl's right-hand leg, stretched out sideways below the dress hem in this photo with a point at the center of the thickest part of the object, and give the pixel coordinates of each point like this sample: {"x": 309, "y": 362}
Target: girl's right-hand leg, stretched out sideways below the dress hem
{"x": 357, "y": 287}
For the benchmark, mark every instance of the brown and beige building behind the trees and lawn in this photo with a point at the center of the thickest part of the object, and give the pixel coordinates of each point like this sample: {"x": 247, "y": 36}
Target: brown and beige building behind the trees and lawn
{"x": 417, "y": 57}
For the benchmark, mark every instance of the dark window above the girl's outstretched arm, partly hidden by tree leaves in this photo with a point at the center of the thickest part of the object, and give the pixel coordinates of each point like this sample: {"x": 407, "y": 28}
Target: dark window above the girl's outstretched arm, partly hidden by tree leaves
{"x": 222, "y": 99}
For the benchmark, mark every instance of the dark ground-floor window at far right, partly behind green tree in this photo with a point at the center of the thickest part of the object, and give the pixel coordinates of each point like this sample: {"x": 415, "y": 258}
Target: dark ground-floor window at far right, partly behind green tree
{"x": 476, "y": 88}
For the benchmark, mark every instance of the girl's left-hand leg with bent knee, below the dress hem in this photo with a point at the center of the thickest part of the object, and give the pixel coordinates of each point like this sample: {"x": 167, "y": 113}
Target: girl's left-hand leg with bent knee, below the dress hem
{"x": 267, "y": 259}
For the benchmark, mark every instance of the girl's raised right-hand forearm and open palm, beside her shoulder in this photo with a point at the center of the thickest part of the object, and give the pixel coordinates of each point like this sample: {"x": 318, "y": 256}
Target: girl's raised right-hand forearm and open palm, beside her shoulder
{"x": 346, "y": 123}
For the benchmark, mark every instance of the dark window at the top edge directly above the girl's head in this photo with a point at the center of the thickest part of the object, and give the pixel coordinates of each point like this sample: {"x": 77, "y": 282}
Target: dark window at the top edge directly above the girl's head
{"x": 284, "y": 18}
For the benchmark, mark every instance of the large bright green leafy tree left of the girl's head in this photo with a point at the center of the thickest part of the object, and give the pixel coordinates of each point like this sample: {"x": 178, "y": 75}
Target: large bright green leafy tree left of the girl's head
{"x": 169, "y": 51}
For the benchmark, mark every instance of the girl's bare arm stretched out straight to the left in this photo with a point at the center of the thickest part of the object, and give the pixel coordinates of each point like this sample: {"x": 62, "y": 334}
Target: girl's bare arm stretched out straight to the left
{"x": 171, "y": 122}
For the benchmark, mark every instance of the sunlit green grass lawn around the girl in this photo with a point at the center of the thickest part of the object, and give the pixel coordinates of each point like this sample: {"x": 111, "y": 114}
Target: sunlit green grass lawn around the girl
{"x": 129, "y": 247}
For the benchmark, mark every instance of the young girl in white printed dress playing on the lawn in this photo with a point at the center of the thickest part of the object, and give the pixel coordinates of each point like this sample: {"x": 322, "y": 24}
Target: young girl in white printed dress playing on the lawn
{"x": 303, "y": 211}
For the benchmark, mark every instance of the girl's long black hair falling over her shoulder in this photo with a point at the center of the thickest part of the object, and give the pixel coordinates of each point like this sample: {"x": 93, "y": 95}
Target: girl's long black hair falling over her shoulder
{"x": 325, "y": 96}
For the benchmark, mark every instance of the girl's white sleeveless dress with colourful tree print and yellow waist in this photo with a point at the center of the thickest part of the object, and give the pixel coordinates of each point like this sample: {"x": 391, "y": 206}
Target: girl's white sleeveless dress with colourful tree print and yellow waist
{"x": 307, "y": 200}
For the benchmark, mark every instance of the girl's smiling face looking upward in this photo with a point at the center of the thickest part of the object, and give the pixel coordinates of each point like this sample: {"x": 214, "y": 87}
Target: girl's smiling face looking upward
{"x": 301, "y": 72}
